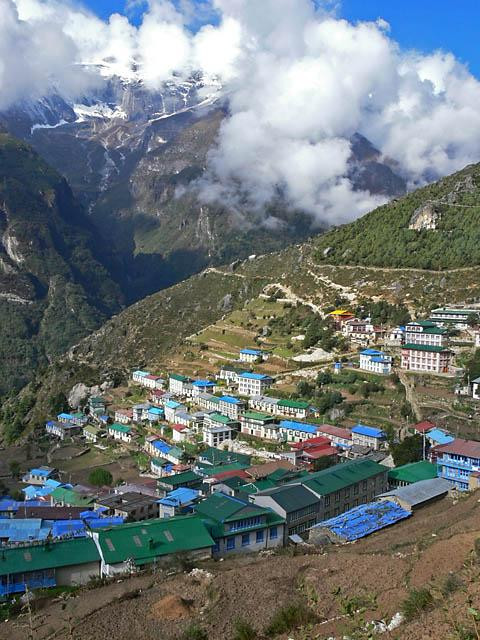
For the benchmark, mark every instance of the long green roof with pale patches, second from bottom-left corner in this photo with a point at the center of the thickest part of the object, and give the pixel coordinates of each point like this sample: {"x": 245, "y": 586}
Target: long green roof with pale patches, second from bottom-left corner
{"x": 150, "y": 539}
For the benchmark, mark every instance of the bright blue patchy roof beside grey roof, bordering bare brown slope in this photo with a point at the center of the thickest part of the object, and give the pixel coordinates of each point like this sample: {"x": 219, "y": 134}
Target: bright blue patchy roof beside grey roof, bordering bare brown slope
{"x": 363, "y": 520}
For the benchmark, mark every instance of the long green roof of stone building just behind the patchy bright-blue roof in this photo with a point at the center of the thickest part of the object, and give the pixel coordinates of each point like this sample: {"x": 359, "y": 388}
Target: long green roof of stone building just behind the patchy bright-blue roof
{"x": 342, "y": 475}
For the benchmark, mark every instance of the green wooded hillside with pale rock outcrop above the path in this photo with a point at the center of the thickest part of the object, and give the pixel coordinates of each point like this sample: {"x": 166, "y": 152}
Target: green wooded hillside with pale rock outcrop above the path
{"x": 436, "y": 227}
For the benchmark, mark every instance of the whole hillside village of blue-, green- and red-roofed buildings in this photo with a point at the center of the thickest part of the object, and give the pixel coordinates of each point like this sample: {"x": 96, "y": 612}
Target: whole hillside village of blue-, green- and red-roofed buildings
{"x": 242, "y": 460}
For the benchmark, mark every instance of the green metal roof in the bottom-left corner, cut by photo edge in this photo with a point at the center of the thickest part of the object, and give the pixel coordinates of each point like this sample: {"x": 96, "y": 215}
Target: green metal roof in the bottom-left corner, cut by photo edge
{"x": 48, "y": 556}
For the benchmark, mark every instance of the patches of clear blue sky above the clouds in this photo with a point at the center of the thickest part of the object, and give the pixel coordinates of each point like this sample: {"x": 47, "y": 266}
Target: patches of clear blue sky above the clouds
{"x": 425, "y": 25}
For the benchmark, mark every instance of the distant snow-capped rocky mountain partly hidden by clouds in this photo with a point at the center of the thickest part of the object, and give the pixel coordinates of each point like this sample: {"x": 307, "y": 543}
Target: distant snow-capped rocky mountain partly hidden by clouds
{"x": 131, "y": 154}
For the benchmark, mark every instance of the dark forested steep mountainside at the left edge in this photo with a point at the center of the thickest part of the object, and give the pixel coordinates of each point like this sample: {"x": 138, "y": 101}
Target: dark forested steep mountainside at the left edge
{"x": 54, "y": 287}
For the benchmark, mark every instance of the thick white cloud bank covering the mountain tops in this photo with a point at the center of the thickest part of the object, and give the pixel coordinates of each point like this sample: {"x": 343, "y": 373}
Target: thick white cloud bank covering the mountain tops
{"x": 299, "y": 83}
